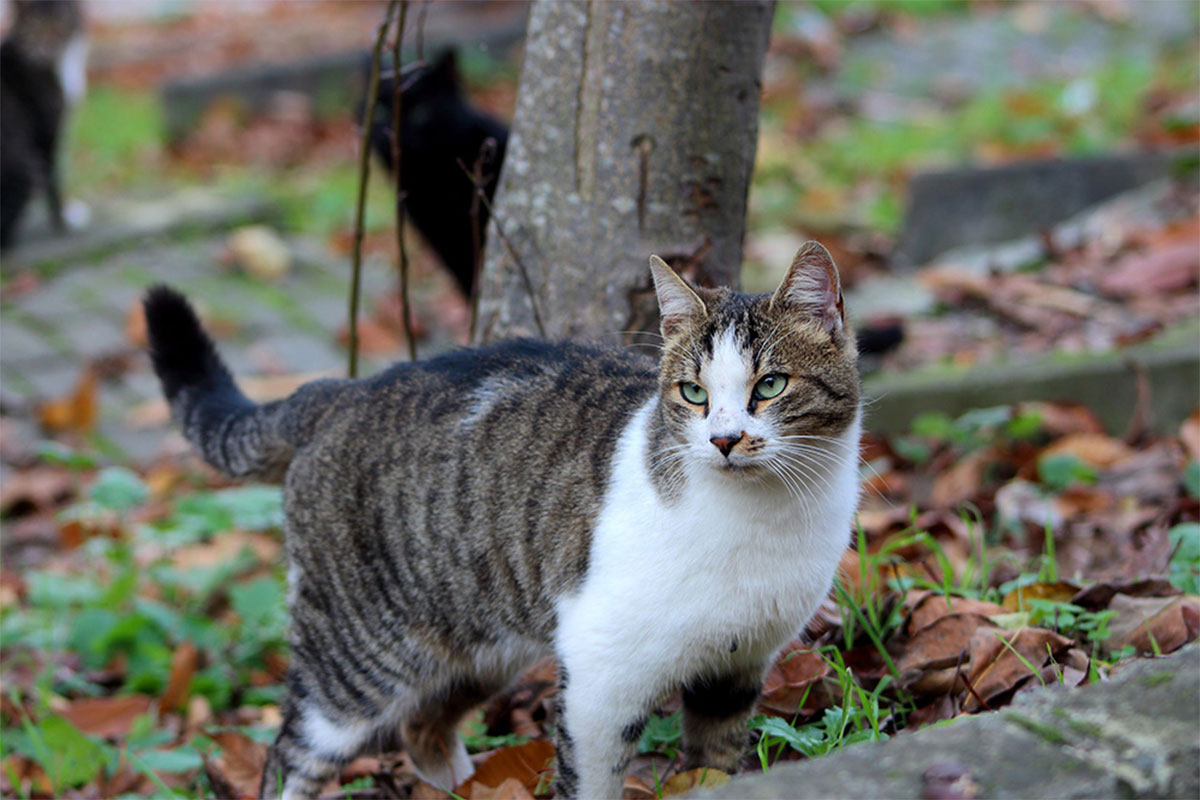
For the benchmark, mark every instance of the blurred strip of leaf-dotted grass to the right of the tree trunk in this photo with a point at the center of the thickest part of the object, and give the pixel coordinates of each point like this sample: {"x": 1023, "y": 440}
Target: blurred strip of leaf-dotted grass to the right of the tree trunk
{"x": 854, "y": 171}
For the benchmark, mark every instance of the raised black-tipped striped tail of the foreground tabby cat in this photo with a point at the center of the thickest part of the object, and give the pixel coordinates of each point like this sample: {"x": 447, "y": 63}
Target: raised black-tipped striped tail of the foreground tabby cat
{"x": 231, "y": 432}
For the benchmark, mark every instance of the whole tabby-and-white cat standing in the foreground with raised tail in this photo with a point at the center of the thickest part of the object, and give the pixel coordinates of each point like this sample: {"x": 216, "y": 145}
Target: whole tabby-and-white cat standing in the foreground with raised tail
{"x": 656, "y": 526}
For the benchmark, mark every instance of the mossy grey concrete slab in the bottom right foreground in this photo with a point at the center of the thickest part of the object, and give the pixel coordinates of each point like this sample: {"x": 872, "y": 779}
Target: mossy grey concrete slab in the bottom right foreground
{"x": 1132, "y": 737}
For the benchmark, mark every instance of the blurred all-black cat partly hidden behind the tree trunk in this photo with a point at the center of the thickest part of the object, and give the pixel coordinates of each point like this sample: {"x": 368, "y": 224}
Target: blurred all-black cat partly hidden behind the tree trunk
{"x": 439, "y": 131}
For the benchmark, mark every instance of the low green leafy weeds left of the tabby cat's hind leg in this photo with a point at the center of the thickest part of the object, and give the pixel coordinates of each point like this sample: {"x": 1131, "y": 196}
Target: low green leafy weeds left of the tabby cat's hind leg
{"x": 135, "y": 607}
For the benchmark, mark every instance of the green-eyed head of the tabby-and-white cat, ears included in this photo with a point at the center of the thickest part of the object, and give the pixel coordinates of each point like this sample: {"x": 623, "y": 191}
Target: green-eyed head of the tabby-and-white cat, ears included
{"x": 758, "y": 384}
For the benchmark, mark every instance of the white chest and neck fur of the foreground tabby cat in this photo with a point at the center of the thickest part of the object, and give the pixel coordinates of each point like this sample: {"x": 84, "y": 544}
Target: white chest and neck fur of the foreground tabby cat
{"x": 721, "y": 579}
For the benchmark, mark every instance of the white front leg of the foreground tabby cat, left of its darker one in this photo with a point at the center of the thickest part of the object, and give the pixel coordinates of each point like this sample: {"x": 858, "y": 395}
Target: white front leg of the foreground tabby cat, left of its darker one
{"x": 599, "y": 720}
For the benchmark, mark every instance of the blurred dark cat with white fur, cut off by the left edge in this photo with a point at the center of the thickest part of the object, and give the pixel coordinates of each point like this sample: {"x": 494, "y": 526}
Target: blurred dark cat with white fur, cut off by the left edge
{"x": 43, "y": 73}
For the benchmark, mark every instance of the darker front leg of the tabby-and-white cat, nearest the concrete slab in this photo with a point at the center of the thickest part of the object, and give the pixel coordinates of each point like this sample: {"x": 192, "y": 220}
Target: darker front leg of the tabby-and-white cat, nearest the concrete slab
{"x": 716, "y": 711}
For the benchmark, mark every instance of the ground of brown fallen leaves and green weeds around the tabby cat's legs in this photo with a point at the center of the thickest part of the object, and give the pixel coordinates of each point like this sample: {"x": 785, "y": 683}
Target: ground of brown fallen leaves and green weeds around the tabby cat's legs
{"x": 1013, "y": 549}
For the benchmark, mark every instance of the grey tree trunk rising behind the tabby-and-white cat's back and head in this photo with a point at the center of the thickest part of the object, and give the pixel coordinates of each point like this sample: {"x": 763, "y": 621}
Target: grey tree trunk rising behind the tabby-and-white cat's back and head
{"x": 635, "y": 134}
